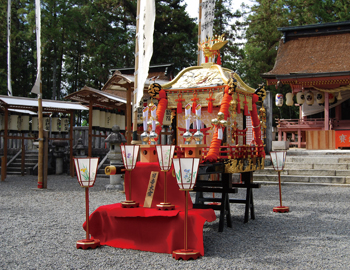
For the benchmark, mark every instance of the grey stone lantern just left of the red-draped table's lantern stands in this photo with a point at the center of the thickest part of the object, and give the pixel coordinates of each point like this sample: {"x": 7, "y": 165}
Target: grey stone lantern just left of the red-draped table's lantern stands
{"x": 115, "y": 139}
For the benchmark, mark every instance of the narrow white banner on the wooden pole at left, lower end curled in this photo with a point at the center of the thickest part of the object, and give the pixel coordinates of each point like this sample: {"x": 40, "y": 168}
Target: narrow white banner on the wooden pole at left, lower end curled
{"x": 36, "y": 87}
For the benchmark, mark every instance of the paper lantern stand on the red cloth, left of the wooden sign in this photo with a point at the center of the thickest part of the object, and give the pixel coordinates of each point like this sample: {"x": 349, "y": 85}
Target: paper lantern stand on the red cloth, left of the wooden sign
{"x": 130, "y": 155}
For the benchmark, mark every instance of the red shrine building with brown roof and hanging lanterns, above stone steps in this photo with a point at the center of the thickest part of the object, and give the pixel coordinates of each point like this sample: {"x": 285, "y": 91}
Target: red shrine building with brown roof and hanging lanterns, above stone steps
{"x": 315, "y": 61}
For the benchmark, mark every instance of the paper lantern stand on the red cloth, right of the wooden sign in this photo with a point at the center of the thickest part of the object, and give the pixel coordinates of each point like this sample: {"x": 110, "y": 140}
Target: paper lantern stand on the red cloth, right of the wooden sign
{"x": 165, "y": 158}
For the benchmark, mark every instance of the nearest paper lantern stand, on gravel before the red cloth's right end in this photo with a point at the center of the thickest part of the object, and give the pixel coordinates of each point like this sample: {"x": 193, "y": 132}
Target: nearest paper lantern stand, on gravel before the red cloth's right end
{"x": 186, "y": 170}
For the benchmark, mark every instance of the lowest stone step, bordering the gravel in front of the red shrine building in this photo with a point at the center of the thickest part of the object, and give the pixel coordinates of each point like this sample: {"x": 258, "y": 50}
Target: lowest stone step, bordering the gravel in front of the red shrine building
{"x": 301, "y": 178}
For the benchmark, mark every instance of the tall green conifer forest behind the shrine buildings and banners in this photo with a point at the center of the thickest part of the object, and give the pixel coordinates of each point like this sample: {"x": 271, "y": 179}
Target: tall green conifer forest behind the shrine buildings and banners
{"x": 83, "y": 40}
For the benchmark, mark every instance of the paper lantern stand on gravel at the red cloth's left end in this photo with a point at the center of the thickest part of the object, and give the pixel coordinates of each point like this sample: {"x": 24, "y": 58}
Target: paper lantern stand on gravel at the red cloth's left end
{"x": 86, "y": 169}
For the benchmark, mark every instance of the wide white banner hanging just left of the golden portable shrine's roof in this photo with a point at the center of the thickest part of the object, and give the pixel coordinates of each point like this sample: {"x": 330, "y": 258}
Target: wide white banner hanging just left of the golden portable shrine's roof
{"x": 145, "y": 43}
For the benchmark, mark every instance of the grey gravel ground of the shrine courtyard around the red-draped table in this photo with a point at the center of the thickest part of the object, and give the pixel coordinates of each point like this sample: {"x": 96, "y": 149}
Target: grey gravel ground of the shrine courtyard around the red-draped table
{"x": 39, "y": 229}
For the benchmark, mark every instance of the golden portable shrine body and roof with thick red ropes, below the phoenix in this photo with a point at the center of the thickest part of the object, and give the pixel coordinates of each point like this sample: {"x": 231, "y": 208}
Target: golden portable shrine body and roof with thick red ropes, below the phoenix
{"x": 221, "y": 101}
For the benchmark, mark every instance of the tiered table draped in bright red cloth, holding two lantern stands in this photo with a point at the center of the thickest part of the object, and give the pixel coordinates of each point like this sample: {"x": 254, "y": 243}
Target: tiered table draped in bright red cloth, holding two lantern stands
{"x": 150, "y": 229}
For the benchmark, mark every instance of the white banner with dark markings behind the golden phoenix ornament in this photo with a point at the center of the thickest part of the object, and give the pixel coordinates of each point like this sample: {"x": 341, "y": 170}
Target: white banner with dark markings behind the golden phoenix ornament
{"x": 207, "y": 22}
